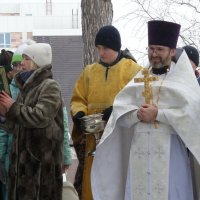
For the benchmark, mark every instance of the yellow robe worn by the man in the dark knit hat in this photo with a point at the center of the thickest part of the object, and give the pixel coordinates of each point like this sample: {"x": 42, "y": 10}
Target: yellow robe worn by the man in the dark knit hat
{"x": 93, "y": 92}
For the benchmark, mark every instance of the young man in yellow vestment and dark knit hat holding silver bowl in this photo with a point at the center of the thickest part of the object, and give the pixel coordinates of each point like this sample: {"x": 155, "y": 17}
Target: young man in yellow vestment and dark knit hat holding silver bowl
{"x": 94, "y": 92}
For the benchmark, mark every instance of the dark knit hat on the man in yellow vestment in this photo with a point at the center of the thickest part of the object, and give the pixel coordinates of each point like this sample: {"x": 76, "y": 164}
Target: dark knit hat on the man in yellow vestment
{"x": 109, "y": 36}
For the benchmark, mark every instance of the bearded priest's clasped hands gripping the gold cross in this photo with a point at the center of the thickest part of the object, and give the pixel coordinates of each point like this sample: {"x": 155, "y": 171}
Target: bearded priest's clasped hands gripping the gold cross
{"x": 147, "y": 113}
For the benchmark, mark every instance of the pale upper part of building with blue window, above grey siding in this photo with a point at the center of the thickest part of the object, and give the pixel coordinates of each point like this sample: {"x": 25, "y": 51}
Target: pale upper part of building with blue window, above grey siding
{"x": 22, "y": 19}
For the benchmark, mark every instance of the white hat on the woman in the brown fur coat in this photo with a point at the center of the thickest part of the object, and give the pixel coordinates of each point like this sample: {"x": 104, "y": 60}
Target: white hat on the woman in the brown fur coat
{"x": 39, "y": 53}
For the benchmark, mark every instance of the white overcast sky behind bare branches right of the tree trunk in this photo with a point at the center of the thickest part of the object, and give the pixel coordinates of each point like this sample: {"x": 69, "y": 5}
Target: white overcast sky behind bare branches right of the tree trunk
{"x": 134, "y": 33}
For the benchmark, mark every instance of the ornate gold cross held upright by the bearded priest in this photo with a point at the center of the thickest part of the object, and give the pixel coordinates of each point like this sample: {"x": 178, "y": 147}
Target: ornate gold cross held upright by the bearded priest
{"x": 147, "y": 79}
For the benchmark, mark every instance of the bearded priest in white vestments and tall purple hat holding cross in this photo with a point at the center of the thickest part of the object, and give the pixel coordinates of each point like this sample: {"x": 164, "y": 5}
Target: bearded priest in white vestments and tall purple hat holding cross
{"x": 152, "y": 128}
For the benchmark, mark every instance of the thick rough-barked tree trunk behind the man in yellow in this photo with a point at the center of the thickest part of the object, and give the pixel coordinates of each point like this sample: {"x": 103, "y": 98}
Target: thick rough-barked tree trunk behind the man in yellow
{"x": 95, "y": 14}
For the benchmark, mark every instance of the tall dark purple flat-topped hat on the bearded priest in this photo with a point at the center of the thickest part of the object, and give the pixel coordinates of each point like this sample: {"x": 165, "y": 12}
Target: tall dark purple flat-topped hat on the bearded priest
{"x": 163, "y": 33}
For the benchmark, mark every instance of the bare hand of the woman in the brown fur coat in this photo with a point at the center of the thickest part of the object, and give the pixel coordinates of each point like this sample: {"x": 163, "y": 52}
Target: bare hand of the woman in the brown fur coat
{"x": 5, "y": 101}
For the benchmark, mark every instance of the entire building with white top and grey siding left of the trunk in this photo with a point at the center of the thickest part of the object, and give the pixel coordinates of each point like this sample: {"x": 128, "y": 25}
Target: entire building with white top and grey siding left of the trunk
{"x": 57, "y": 22}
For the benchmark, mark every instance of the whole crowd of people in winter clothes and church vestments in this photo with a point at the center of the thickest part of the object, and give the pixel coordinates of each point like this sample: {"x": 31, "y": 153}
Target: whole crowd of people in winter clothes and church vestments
{"x": 150, "y": 146}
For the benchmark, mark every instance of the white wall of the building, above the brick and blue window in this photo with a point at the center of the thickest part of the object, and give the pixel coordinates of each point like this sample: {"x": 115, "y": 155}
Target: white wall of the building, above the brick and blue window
{"x": 32, "y": 15}
